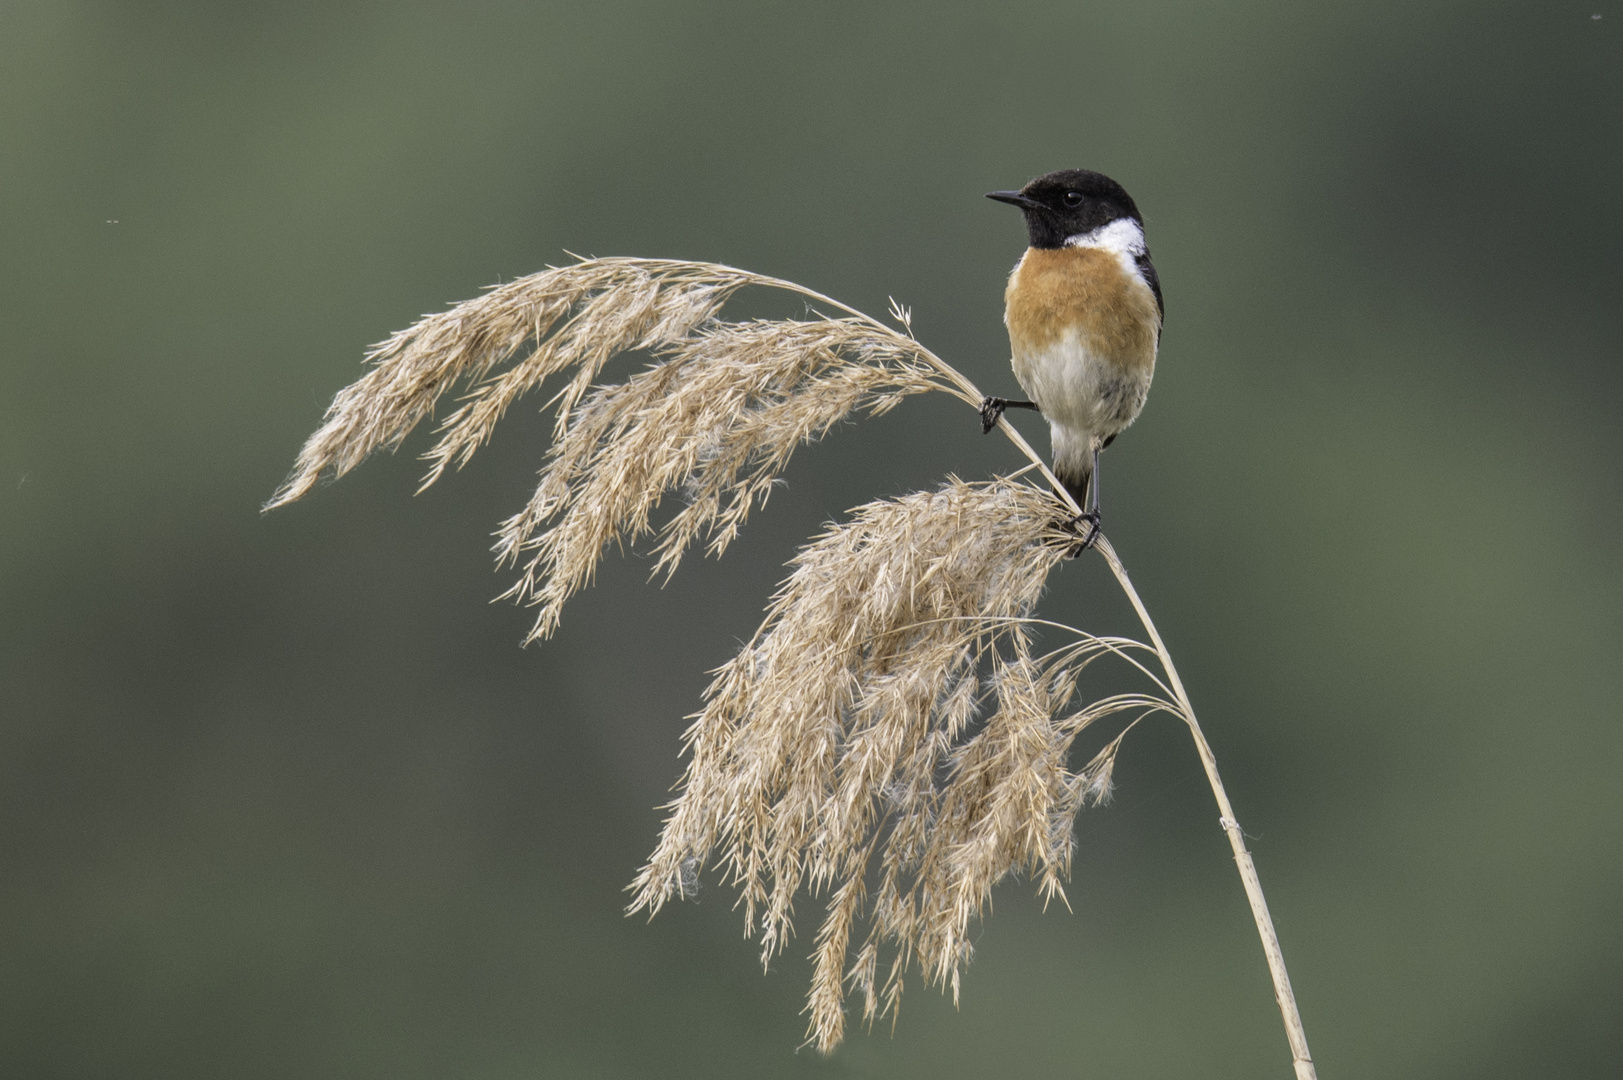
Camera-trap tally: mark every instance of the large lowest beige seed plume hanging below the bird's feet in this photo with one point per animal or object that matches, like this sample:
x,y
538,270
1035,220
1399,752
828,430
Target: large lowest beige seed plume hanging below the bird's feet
x,y
846,746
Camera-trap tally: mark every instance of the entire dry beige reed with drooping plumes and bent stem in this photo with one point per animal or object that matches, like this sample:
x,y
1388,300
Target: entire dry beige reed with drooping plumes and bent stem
x,y
890,740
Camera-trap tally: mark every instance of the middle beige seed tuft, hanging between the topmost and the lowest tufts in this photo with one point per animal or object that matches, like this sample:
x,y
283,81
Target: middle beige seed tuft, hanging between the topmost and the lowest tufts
x,y
717,420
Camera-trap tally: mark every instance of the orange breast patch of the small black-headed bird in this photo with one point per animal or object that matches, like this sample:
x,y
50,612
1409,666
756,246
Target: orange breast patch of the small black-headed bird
x,y
1085,292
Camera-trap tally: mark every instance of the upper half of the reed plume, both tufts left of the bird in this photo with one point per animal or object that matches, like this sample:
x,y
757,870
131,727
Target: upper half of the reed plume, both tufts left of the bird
x,y
717,418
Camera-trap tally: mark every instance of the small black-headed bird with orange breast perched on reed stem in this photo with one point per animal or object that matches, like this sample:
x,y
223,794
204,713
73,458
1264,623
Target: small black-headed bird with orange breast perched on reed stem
x,y
1083,309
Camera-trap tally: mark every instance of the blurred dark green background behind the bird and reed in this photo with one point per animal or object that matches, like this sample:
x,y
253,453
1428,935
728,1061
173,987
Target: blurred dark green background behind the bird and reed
x,y
285,798
